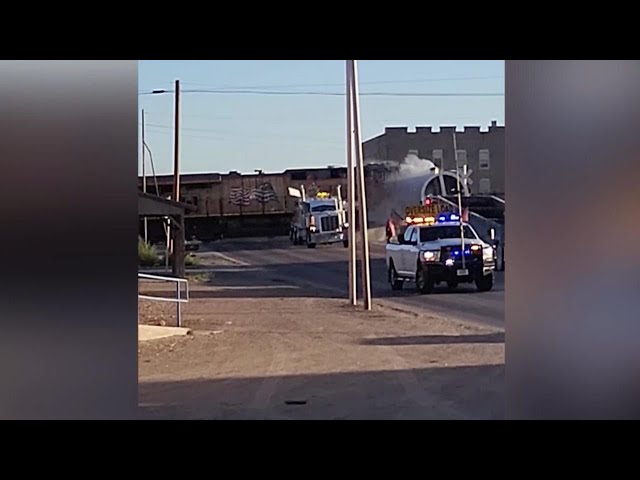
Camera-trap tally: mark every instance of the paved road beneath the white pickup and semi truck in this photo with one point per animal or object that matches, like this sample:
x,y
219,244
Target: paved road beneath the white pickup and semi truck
x,y
326,267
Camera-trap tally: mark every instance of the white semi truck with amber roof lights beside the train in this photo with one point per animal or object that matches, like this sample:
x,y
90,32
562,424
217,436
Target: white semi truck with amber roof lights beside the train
x,y
318,220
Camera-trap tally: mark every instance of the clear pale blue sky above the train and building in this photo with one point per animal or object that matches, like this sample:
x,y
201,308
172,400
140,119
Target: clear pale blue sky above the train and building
x,y
240,127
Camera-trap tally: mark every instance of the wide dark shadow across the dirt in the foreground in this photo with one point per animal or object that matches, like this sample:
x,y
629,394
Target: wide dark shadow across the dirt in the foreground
x,y
429,393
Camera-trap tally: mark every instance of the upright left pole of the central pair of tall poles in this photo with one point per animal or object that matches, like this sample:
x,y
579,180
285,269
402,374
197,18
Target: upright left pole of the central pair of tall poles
x,y
351,195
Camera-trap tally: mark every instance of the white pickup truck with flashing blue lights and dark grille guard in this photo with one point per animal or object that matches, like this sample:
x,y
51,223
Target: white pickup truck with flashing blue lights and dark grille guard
x,y
430,253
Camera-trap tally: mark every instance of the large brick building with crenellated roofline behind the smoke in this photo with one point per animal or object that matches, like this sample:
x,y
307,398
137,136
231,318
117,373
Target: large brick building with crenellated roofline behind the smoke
x,y
481,150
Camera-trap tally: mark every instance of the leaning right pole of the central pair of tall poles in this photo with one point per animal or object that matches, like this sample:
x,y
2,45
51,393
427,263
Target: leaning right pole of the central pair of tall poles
x,y
357,137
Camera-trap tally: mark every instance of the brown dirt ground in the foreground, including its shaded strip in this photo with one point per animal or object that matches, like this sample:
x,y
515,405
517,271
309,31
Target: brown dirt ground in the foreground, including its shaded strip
x,y
282,355
